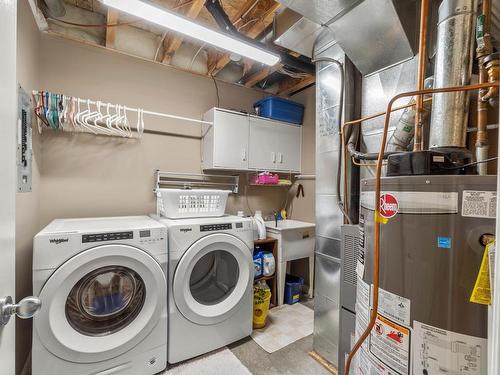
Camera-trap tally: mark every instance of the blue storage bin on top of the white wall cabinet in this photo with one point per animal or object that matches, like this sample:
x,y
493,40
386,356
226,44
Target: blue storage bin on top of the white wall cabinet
x,y
280,109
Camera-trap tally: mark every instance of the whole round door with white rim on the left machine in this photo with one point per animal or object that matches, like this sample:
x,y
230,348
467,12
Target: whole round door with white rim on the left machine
x,y
101,303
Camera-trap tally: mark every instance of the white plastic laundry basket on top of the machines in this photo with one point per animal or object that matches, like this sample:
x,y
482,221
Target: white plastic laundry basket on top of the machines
x,y
183,203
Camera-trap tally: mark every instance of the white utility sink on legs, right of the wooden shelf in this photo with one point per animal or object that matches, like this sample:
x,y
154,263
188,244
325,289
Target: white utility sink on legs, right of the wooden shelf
x,y
296,240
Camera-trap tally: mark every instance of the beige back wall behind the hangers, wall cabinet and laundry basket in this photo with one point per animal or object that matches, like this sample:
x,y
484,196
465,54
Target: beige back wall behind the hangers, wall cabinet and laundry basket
x,y
84,175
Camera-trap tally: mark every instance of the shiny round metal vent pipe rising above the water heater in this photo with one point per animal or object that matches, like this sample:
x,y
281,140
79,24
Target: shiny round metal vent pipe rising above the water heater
x,y
453,67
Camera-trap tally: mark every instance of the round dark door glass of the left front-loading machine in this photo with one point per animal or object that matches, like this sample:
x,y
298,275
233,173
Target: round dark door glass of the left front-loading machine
x,y
105,300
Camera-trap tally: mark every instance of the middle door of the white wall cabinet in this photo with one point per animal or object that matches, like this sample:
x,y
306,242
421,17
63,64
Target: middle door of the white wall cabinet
x,y
262,144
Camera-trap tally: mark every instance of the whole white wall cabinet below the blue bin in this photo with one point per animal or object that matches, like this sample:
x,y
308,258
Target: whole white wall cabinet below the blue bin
x,y
237,141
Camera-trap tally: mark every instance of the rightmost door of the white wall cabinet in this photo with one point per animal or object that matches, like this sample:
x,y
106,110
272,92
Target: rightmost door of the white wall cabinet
x,y
288,147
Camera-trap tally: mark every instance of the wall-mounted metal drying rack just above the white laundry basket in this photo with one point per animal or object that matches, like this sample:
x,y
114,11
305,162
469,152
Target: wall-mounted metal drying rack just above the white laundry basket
x,y
174,180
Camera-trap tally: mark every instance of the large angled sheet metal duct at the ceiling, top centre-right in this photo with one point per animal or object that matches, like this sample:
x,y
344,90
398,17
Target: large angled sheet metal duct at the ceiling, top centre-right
x,y
374,34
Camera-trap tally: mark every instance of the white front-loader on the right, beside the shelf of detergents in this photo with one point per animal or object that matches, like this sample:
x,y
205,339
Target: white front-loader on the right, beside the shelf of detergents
x,y
210,281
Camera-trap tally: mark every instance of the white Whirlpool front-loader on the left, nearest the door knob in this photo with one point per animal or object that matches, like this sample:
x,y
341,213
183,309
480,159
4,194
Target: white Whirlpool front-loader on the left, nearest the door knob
x,y
102,284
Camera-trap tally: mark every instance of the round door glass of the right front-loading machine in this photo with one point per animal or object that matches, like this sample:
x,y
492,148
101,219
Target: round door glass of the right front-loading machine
x,y
214,277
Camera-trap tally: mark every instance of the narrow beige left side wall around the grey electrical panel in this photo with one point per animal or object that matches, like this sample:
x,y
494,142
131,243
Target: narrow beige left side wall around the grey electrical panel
x,y
27,204
